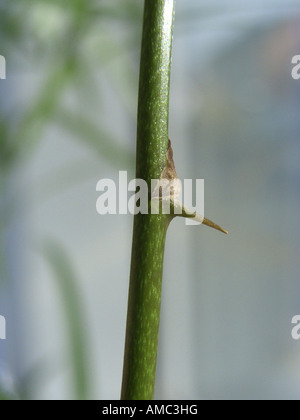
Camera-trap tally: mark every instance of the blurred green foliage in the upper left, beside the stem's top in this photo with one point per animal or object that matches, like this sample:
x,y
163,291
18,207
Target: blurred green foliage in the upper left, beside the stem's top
x,y
68,43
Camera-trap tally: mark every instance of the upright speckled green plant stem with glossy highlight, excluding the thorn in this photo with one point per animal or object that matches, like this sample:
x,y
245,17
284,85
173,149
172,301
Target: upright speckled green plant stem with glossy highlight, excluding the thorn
x,y
149,231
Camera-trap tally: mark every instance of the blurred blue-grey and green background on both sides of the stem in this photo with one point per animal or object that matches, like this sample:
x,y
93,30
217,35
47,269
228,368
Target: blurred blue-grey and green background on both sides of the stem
x,y
68,119
